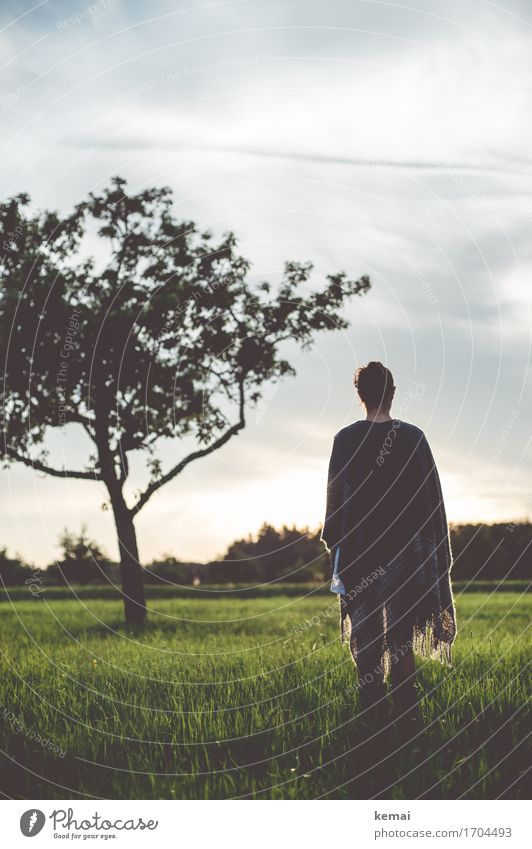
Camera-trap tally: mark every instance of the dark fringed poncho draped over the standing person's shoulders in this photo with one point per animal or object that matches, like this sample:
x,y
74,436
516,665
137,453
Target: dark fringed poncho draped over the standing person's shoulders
x,y
385,511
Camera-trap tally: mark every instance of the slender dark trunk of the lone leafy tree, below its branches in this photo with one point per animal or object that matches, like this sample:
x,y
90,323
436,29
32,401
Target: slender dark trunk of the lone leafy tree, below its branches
x,y
130,568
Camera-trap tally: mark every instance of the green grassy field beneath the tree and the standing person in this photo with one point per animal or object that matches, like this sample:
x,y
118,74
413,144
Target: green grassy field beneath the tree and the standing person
x,y
249,697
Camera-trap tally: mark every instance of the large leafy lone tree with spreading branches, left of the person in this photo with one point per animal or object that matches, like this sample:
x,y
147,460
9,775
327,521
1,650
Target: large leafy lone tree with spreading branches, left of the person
x,y
159,334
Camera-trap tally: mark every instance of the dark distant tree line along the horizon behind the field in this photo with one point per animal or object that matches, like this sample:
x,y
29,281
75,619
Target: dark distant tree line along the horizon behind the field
x,y
481,552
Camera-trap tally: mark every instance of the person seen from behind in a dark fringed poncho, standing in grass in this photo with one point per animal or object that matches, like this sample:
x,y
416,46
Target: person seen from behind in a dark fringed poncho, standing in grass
x,y
386,530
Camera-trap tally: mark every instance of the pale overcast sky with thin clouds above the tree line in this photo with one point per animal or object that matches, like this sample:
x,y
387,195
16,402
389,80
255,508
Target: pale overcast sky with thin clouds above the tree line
x,y
365,136
